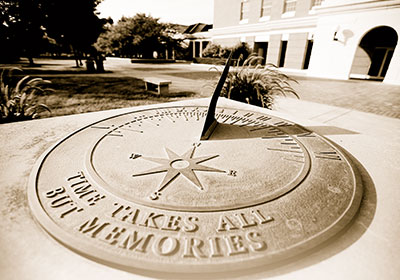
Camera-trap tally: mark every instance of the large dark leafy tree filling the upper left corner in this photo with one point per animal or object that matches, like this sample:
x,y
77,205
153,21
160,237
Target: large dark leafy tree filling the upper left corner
x,y
26,25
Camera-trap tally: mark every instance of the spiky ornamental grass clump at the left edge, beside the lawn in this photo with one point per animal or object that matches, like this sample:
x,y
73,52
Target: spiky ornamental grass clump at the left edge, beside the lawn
x,y
16,102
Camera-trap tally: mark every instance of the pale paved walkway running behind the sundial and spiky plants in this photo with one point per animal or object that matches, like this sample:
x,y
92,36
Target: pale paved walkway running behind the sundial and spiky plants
x,y
367,96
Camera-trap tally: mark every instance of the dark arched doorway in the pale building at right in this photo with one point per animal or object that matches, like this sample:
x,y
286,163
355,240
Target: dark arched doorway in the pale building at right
x,y
374,53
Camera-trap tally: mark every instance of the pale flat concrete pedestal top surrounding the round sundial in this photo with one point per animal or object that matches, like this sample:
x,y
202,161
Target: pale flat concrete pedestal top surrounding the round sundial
x,y
367,249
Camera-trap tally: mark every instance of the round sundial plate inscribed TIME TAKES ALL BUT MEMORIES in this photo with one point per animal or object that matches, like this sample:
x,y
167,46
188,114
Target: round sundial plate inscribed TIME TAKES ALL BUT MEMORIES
x,y
194,188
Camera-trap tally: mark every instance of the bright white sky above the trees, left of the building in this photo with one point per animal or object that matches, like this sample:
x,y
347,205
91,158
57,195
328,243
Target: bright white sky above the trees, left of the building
x,y
173,11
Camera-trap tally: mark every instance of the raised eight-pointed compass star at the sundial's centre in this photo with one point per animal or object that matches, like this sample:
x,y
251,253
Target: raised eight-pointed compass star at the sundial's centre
x,y
175,165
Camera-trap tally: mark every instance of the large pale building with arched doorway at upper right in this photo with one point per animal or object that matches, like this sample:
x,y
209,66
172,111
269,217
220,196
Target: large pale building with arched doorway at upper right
x,y
331,39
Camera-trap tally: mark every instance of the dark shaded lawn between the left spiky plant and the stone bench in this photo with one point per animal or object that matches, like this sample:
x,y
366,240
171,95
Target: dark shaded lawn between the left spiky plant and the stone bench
x,y
78,93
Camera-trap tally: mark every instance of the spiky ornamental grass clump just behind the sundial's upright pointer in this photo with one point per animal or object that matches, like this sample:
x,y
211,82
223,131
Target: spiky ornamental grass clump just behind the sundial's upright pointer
x,y
255,84
